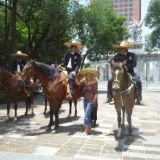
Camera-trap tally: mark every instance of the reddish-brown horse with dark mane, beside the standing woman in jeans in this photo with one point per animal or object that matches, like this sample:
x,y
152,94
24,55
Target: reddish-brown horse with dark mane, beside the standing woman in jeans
x,y
54,85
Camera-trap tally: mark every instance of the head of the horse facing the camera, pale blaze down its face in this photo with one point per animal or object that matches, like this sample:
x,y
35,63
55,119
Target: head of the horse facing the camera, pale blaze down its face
x,y
118,75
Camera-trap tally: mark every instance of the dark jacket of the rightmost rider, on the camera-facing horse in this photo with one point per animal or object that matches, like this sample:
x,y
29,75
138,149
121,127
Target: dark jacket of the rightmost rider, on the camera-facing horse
x,y
130,58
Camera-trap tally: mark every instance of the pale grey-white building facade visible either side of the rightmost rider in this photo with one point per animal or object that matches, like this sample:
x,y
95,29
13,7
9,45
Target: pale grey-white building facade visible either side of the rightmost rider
x,y
148,69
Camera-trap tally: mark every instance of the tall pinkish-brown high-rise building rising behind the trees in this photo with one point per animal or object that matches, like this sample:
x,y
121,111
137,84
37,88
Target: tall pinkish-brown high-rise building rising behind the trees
x,y
131,9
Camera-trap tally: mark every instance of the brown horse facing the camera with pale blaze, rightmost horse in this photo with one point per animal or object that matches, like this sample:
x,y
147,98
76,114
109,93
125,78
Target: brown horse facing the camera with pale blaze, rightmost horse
x,y
123,94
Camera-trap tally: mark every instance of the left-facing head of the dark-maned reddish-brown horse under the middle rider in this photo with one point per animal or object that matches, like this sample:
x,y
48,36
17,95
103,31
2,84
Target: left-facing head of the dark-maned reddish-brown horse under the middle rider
x,y
28,70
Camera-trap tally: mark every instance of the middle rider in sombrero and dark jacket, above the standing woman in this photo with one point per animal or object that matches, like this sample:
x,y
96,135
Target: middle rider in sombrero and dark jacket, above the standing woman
x,y
72,62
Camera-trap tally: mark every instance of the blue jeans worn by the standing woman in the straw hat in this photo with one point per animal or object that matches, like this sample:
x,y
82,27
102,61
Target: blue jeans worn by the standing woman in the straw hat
x,y
88,108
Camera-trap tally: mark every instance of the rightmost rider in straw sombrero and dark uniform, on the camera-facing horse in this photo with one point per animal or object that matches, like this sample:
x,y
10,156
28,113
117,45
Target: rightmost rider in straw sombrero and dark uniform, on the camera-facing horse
x,y
131,62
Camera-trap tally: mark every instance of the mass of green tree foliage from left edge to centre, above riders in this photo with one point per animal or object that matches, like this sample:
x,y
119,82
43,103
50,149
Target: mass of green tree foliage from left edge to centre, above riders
x,y
44,25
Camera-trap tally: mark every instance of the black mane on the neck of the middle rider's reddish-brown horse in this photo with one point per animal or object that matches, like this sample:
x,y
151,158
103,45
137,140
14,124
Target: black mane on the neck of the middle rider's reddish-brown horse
x,y
46,70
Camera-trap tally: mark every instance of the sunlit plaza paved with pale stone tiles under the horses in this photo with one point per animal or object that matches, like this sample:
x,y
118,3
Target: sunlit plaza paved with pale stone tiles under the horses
x,y
28,140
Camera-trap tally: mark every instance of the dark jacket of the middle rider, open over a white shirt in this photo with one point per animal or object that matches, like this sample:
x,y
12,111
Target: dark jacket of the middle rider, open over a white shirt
x,y
75,61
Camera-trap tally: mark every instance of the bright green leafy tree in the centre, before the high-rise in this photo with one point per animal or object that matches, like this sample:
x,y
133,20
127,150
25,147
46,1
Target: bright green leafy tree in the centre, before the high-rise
x,y
98,27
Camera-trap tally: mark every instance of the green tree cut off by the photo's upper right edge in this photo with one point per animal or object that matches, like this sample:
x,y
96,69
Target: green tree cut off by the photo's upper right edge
x,y
152,20
